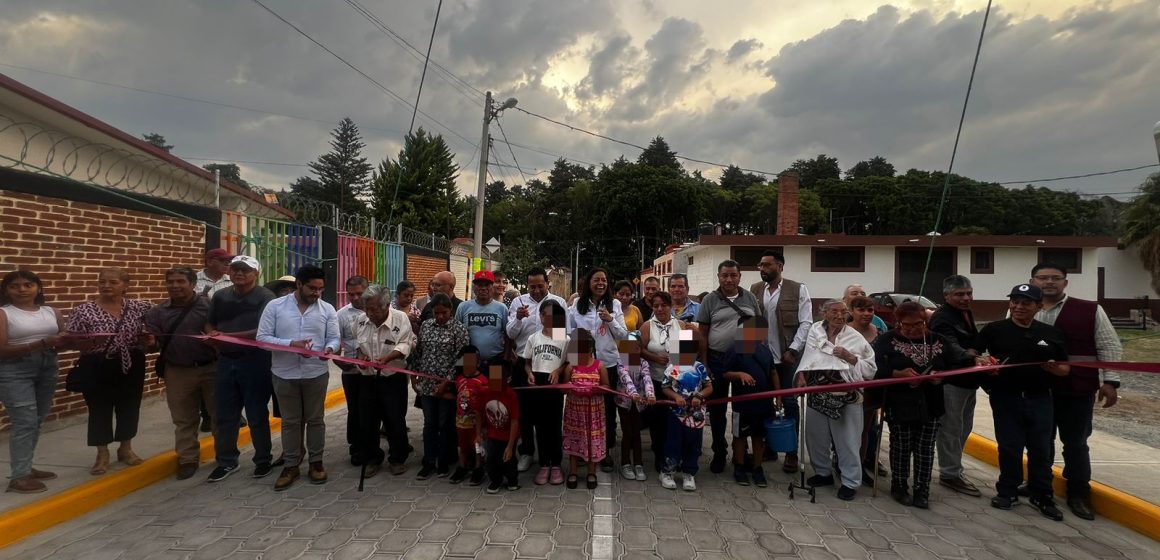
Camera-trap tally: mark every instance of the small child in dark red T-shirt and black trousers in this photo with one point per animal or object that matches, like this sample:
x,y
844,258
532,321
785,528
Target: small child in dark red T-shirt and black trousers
x,y
498,431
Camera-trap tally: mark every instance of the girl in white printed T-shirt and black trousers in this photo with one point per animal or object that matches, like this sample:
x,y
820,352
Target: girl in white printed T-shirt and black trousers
x,y
545,363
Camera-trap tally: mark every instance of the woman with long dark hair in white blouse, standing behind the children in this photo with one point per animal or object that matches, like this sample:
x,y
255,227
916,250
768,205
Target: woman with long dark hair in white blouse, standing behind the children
x,y
598,312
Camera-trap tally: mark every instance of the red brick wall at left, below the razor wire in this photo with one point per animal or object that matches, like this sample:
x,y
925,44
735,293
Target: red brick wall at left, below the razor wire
x,y
69,243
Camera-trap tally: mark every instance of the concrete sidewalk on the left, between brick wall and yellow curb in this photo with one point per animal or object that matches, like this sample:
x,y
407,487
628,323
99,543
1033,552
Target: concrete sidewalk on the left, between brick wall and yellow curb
x,y
64,452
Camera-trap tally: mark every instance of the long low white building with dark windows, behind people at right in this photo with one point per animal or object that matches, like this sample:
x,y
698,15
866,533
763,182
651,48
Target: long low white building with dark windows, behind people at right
x,y
1098,270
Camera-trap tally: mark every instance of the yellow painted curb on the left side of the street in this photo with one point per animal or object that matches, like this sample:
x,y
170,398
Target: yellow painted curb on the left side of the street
x,y
75,503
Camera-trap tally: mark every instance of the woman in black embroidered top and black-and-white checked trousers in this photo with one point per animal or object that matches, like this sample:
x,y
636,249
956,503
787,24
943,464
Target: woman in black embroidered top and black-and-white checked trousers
x,y
913,410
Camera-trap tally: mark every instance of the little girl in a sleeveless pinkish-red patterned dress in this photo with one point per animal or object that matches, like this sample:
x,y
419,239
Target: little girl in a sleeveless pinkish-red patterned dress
x,y
584,412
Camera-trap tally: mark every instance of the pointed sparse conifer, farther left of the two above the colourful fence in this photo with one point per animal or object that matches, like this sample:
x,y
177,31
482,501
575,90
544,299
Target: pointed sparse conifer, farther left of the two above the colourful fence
x,y
343,173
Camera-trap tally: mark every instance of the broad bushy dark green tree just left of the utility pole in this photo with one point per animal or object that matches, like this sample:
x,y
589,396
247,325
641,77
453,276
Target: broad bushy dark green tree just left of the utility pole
x,y
429,200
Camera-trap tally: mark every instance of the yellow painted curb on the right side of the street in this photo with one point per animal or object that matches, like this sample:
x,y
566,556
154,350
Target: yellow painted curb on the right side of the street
x,y
1128,511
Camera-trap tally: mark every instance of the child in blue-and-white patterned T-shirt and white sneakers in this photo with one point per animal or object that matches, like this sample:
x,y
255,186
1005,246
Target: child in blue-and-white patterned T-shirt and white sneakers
x,y
687,383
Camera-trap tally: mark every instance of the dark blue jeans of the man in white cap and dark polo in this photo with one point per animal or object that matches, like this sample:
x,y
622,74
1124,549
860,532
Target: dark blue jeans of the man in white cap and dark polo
x,y
243,382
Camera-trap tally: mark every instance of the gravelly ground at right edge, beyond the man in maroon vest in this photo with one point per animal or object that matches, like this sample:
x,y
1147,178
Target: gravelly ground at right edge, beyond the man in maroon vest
x,y
1137,414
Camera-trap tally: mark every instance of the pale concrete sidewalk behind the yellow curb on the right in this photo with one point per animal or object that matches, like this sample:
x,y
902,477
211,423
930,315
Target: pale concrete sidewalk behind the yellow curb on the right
x,y
1119,463
